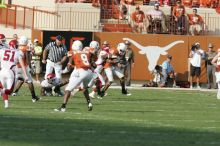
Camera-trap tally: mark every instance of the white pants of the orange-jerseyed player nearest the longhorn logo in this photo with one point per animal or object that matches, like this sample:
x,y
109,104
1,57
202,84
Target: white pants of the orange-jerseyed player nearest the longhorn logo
x,y
114,70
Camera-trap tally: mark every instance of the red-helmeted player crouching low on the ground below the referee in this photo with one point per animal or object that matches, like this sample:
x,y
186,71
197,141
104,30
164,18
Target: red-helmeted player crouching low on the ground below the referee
x,y
50,82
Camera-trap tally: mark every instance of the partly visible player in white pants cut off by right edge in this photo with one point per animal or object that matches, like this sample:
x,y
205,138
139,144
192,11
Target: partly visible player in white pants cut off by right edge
x,y
216,63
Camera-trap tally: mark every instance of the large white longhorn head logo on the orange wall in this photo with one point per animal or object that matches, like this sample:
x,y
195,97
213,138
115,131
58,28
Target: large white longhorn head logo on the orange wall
x,y
153,52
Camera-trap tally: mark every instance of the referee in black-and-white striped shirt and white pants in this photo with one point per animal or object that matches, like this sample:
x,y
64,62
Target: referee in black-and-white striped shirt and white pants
x,y
54,55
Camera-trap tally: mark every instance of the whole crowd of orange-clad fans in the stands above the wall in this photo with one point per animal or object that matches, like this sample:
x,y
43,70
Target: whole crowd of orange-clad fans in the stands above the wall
x,y
156,21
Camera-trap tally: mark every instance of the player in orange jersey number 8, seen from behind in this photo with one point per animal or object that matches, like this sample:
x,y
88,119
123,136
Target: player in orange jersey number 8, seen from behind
x,y
81,74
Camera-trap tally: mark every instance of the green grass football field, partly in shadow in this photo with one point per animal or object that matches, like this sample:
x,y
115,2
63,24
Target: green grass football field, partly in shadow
x,y
147,118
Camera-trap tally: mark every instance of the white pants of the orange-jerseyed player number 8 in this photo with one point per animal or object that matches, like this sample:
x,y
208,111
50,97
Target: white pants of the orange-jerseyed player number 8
x,y
79,76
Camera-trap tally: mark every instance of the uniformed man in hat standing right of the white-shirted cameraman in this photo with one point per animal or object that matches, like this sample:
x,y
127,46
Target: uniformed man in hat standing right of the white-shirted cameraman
x,y
210,68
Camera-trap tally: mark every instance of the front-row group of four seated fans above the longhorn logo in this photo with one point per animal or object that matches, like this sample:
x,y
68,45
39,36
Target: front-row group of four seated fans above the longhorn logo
x,y
177,23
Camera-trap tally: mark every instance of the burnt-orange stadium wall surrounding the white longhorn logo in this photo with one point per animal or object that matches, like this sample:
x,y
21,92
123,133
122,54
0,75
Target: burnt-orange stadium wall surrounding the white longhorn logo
x,y
179,51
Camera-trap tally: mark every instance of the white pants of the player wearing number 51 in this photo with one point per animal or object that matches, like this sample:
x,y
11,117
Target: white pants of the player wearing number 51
x,y
7,78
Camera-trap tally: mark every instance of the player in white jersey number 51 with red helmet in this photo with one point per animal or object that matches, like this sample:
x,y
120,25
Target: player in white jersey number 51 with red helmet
x,y
9,57
